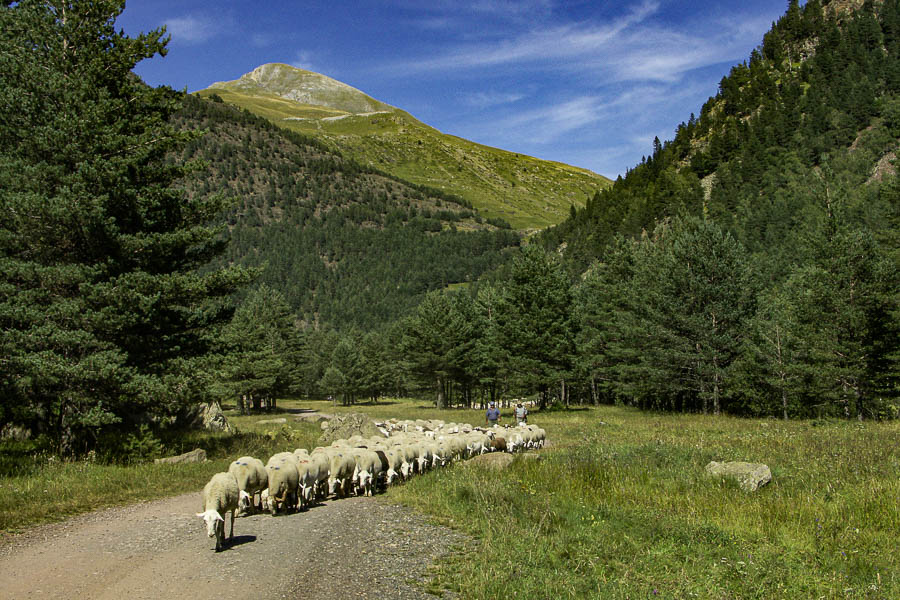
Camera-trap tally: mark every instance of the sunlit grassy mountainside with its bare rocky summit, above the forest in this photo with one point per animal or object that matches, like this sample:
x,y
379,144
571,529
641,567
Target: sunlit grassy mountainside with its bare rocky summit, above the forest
x,y
527,192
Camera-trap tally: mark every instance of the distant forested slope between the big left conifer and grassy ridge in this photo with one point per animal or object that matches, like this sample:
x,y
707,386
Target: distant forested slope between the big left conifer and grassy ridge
x,y
346,245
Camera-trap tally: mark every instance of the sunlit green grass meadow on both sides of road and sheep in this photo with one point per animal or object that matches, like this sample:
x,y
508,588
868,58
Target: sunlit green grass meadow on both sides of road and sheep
x,y
619,507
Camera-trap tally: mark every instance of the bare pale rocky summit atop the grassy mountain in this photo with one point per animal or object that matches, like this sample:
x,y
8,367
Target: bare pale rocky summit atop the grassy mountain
x,y
304,87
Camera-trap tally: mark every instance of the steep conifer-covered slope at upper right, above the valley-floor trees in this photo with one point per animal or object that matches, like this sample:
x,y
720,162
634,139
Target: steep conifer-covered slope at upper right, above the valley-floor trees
x,y
814,112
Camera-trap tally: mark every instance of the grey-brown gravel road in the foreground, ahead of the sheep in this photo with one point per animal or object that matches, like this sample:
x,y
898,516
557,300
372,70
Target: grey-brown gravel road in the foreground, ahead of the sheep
x,y
351,548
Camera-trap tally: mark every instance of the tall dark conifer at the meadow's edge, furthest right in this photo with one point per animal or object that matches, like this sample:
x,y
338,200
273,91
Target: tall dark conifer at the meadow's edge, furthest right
x,y
847,305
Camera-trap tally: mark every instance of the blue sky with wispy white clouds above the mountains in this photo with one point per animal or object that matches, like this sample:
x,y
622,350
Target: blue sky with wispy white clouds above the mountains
x,y
581,82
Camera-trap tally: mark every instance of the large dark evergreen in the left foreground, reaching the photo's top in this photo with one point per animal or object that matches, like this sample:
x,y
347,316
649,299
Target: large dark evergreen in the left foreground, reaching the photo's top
x,y
103,314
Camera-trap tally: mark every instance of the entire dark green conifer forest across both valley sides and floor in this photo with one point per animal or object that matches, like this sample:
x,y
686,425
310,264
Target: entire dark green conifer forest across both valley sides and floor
x,y
158,249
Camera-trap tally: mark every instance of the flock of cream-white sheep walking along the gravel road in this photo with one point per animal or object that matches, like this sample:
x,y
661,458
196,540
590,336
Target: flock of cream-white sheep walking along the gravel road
x,y
293,480
